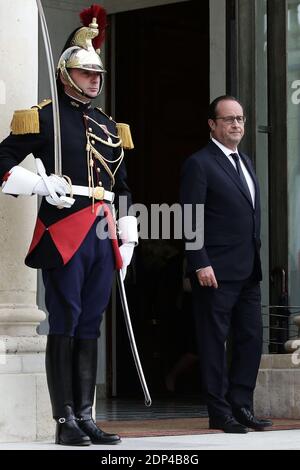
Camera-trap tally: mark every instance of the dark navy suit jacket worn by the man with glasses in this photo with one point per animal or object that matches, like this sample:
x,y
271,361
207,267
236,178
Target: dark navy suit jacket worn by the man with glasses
x,y
231,223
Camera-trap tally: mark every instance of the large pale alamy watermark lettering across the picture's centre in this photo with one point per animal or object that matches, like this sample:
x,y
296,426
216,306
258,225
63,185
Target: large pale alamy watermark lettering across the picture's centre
x,y
162,222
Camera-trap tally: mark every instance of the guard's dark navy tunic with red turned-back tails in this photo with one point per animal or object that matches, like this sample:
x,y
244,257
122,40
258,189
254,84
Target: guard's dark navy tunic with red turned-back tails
x,y
58,233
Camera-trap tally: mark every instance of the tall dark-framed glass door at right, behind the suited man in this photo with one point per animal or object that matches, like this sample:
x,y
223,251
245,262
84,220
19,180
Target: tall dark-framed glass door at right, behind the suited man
x,y
266,55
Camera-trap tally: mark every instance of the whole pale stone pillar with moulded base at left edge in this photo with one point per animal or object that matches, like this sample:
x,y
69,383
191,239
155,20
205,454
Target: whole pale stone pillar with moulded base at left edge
x,y
24,404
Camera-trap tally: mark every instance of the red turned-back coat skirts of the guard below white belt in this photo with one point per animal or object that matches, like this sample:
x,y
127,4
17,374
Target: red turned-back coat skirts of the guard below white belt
x,y
68,234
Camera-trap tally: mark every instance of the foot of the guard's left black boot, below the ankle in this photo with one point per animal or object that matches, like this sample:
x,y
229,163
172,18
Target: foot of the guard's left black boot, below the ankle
x,y
68,433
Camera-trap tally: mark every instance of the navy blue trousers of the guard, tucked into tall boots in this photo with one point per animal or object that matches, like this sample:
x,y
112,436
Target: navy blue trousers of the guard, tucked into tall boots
x,y
77,294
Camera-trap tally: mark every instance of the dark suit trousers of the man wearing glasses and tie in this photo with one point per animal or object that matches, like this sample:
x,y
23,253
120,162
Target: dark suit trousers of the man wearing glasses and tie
x,y
234,308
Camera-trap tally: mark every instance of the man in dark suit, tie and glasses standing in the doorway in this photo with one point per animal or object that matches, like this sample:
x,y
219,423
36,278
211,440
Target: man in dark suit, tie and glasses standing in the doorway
x,y
226,271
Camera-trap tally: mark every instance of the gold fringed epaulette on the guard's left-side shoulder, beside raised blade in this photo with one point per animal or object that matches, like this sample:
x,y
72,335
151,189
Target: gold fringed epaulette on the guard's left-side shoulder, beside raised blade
x,y
26,121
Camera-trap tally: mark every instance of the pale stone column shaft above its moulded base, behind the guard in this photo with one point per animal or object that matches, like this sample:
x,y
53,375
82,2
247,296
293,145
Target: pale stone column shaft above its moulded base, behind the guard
x,y
18,75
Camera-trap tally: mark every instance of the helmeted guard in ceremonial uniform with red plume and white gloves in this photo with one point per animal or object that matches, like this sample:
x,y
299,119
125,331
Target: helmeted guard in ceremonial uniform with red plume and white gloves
x,y
77,265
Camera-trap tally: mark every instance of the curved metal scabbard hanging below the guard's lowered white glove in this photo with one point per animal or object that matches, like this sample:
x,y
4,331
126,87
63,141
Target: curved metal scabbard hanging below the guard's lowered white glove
x,y
134,350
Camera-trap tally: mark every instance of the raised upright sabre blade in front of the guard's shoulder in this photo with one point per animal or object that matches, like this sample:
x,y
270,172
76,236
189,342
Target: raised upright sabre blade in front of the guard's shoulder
x,y
55,107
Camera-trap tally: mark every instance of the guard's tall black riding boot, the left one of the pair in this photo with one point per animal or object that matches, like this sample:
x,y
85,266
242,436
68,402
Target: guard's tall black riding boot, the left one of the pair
x,y
59,361
